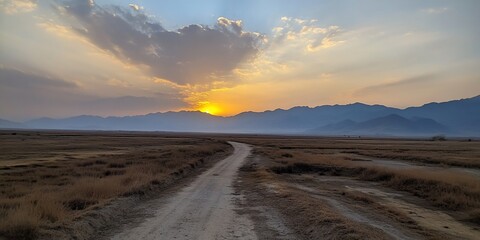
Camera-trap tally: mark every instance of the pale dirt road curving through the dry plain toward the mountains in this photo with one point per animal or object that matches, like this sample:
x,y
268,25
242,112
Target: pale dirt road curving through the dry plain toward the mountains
x,y
203,210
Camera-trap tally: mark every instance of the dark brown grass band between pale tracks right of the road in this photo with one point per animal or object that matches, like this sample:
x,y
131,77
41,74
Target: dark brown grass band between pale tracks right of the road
x,y
449,191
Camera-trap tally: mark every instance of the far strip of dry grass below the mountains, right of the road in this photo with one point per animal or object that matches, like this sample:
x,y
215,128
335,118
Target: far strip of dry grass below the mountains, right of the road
x,y
449,153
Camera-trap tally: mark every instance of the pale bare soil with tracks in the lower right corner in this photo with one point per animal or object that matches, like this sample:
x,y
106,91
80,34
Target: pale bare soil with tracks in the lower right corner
x,y
371,203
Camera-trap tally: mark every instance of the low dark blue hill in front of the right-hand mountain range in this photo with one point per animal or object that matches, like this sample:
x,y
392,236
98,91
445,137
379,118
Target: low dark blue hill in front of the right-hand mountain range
x,y
392,124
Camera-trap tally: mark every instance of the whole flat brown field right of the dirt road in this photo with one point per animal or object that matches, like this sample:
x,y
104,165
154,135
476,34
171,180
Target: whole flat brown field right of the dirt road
x,y
341,188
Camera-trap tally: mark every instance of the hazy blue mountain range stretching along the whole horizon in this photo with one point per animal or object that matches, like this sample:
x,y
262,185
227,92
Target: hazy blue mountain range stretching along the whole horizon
x,y
455,118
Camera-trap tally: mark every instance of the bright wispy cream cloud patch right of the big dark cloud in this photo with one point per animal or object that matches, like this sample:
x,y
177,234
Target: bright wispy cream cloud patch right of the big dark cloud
x,y
296,49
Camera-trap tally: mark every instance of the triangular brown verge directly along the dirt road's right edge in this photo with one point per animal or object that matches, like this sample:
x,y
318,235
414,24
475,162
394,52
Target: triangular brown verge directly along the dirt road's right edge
x,y
296,213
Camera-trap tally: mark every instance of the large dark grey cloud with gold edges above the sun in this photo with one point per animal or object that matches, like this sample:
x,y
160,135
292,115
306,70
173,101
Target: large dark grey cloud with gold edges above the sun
x,y
187,55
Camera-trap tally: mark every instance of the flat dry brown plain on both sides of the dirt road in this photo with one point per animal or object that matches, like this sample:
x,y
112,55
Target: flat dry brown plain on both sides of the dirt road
x,y
60,185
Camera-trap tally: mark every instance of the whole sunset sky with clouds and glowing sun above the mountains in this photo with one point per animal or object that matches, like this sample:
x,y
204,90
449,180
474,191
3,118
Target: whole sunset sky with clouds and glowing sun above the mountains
x,y
61,58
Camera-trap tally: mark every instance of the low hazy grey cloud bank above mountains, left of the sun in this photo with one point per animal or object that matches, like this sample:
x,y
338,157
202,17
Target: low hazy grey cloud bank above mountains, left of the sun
x,y
26,95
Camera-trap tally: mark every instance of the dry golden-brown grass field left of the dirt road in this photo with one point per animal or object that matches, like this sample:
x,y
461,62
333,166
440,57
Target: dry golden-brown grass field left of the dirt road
x,y
48,178
